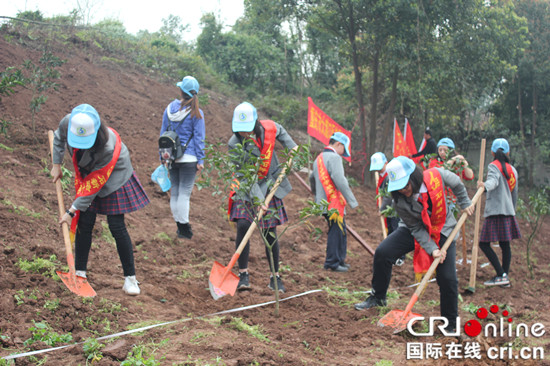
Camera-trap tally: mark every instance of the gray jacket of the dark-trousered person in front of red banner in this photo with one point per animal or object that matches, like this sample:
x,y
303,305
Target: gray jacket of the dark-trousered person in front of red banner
x,y
333,163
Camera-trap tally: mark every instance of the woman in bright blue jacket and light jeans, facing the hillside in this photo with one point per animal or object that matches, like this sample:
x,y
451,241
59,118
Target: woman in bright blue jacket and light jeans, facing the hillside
x,y
185,118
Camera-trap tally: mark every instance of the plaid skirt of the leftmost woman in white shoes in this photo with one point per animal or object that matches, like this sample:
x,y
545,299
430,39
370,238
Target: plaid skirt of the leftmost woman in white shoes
x,y
128,198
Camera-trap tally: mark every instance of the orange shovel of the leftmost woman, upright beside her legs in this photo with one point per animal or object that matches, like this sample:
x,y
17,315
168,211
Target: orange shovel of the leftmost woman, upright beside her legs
x,y
78,285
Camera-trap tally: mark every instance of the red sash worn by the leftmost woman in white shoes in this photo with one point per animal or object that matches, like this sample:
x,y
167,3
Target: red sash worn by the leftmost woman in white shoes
x,y
93,181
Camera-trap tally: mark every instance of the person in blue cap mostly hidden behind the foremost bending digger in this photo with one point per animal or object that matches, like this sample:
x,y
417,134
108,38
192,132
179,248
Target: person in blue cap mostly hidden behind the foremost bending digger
x,y
378,162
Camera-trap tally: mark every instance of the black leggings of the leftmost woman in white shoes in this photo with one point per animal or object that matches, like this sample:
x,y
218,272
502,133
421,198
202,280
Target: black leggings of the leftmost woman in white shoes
x,y
83,241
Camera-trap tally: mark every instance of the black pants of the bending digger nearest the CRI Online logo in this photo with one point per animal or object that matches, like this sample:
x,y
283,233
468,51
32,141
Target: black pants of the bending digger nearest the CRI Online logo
x,y
401,242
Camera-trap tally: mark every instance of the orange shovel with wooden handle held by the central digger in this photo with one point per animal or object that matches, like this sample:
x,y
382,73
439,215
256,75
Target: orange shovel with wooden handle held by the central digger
x,y
222,281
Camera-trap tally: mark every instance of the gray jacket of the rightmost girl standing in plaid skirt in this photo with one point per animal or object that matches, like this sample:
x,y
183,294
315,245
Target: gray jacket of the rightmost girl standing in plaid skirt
x,y
500,201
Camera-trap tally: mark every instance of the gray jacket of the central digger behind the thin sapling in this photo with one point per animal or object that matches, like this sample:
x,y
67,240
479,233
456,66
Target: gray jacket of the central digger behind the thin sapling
x,y
259,188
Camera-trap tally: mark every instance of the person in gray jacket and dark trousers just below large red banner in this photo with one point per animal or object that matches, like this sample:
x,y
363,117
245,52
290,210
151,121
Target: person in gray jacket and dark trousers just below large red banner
x,y
328,182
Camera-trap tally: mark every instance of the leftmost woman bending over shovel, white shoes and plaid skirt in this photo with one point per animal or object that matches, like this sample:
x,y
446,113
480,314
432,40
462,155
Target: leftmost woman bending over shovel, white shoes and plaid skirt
x,y
105,183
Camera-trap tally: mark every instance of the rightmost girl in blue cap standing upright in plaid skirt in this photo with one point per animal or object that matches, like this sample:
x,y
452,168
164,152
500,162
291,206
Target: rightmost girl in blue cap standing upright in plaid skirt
x,y
500,212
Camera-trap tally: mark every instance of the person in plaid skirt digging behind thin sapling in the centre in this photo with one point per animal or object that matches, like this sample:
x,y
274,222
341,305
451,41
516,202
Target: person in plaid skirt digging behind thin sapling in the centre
x,y
258,138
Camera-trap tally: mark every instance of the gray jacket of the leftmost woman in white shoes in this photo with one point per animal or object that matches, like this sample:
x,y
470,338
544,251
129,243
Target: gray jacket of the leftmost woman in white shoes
x,y
121,173
